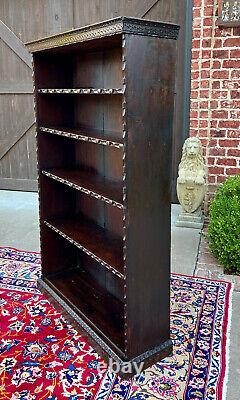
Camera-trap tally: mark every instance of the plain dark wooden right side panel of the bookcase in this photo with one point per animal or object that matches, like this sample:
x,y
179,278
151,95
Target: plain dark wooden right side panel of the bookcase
x,y
150,70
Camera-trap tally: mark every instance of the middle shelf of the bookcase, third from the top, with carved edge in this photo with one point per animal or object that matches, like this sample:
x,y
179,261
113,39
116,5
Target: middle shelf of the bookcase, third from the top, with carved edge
x,y
90,184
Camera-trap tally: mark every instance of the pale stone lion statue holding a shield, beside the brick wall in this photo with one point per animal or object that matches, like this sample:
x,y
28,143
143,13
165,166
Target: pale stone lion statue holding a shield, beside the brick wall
x,y
191,184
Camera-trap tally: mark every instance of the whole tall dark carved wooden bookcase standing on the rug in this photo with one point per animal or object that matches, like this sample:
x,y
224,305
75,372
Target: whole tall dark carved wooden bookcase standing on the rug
x,y
104,98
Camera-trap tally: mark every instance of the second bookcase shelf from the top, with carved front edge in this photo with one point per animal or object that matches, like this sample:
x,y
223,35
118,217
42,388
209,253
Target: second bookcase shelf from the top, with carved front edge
x,y
92,136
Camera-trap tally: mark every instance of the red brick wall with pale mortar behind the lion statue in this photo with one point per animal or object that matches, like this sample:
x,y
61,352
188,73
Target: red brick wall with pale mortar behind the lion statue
x,y
215,95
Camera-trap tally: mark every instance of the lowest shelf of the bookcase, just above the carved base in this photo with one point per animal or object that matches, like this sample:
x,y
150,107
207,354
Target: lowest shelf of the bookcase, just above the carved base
x,y
90,301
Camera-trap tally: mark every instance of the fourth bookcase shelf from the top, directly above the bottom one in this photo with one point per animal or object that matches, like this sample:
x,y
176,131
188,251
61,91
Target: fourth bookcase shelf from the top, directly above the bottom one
x,y
104,247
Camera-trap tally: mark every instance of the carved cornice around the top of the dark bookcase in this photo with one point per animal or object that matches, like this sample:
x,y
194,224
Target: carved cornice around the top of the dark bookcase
x,y
115,26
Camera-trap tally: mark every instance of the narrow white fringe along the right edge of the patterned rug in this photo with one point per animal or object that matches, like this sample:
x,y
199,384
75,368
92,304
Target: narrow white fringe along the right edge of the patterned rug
x,y
228,342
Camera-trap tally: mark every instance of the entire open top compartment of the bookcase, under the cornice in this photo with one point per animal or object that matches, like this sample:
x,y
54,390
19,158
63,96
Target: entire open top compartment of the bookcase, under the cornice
x,y
80,69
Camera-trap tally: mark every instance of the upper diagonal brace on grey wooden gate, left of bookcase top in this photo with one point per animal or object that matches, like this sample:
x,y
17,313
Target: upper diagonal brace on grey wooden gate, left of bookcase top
x,y
15,44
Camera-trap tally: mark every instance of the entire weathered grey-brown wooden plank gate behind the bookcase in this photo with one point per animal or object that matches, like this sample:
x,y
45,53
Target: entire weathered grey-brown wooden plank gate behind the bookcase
x,y
31,20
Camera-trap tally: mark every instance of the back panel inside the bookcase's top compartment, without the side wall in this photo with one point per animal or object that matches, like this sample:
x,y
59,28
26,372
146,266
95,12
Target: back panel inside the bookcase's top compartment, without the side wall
x,y
101,69
